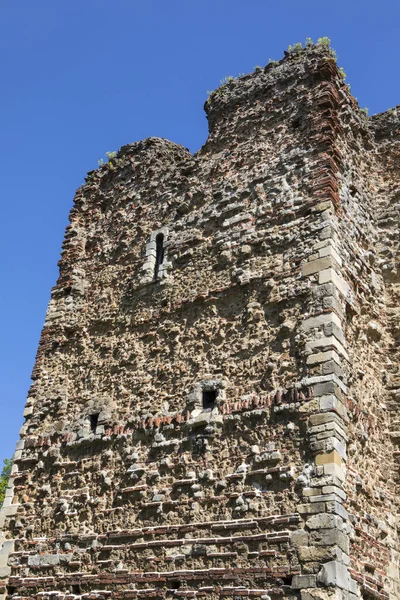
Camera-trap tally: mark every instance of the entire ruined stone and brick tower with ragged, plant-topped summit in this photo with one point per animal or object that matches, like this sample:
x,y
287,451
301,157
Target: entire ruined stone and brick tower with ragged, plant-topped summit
x,y
214,407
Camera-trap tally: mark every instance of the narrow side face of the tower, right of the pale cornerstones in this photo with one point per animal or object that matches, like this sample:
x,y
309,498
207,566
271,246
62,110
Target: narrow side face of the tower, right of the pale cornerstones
x,y
371,503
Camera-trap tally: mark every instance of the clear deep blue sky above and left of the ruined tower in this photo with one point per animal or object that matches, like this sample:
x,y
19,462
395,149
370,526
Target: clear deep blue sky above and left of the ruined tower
x,y
82,77
